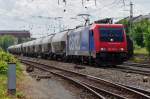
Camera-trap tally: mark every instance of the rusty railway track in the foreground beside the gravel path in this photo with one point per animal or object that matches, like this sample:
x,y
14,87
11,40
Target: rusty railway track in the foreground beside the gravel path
x,y
99,87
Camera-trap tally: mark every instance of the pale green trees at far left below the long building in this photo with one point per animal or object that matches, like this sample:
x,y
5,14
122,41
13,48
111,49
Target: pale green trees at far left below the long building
x,y
6,41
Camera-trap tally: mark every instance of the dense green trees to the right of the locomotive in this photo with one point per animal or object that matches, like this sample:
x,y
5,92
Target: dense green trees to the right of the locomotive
x,y
139,32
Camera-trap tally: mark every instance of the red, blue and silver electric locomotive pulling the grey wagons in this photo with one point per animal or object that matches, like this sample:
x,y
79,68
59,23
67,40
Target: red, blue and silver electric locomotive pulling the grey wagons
x,y
99,43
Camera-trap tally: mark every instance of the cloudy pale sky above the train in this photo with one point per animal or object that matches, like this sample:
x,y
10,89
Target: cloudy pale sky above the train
x,y
43,17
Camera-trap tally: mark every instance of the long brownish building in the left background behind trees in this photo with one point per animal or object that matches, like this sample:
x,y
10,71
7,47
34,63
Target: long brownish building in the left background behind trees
x,y
21,35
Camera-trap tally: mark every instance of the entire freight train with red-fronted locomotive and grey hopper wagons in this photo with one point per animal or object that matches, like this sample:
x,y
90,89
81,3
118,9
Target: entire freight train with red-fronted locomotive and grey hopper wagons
x,y
100,44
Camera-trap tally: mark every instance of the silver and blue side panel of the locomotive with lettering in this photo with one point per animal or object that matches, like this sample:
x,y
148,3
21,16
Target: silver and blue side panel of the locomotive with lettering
x,y
78,42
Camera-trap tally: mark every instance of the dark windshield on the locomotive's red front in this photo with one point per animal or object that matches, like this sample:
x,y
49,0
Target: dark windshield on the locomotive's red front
x,y
111,34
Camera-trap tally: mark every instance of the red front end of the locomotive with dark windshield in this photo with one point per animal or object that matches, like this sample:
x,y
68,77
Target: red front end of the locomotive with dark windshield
x,y
110,43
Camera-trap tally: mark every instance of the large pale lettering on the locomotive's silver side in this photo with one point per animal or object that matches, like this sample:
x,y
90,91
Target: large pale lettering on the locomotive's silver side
x,y
74,41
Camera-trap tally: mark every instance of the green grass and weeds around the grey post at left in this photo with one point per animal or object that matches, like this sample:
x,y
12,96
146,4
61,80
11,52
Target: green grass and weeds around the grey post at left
x,y
4,59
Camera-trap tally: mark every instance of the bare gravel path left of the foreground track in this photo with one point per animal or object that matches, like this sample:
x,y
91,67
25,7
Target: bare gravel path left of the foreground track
x,y
53,88
